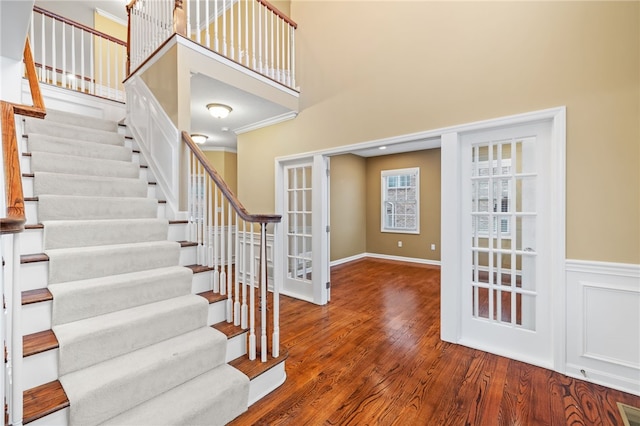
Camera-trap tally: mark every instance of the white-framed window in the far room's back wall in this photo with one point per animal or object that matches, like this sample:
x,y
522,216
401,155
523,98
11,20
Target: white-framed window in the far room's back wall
x,y
401,200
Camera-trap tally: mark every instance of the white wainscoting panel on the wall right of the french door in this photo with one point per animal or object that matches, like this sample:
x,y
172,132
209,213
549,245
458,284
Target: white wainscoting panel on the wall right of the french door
x,y
603,323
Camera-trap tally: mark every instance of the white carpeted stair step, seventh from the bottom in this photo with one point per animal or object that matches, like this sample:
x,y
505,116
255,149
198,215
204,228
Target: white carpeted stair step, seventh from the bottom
x,y
71,207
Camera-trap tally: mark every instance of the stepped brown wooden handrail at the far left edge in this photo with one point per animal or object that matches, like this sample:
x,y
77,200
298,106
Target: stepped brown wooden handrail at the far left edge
x,y
16,218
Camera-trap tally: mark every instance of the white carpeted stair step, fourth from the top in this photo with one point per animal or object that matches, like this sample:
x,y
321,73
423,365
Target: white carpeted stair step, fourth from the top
x,y
62,163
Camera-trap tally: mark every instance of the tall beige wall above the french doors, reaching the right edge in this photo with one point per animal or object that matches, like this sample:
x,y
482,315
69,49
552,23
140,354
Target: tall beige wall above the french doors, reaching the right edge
x,y
415,66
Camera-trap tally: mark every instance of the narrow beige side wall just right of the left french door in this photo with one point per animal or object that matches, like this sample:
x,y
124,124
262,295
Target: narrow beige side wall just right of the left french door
x,y
348,189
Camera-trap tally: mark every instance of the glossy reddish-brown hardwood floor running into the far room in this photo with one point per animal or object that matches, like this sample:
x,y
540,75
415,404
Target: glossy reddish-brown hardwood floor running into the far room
x,y
373,356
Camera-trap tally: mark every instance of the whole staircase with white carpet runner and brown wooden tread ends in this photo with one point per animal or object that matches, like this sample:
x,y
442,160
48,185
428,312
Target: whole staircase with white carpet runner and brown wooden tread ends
x,y
117,327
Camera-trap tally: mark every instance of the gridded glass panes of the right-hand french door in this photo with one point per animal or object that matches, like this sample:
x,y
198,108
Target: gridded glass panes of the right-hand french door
x,y
503,218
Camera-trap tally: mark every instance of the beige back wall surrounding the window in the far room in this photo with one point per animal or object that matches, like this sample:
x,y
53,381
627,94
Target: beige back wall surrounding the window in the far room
x,y
413,245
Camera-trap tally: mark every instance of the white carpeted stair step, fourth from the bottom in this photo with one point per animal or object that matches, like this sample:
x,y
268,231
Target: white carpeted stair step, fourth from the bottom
x,y
76,300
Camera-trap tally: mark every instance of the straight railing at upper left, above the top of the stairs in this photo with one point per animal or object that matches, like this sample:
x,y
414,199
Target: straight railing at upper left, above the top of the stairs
x,y
73,56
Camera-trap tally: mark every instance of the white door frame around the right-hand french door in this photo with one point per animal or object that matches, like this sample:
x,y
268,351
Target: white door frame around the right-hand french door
x,y
452,236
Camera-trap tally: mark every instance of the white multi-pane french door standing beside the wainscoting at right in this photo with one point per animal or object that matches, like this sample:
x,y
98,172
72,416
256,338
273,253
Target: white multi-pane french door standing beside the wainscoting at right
x,y
505,279
